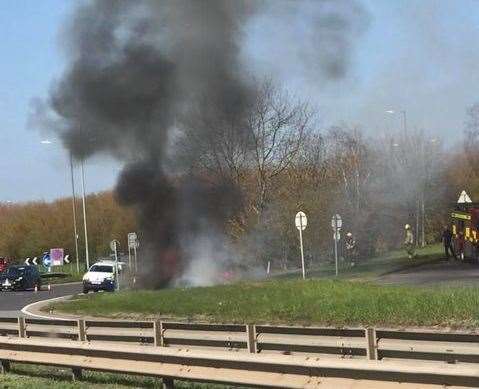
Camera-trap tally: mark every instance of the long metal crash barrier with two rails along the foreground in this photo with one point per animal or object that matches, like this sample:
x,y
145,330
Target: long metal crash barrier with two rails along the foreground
x,y
271,356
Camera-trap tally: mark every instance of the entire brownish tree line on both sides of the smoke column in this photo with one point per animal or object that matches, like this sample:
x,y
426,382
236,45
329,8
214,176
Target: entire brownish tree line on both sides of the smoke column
x,y
281,164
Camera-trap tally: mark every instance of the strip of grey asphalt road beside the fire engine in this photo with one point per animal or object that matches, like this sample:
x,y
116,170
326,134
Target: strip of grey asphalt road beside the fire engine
x,y
450,273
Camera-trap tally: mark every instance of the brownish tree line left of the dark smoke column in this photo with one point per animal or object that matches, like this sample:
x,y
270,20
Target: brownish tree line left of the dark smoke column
x,y
29,229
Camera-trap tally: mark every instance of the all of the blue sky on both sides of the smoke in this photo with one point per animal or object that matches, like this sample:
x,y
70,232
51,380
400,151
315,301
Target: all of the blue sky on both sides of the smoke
x,y
419,56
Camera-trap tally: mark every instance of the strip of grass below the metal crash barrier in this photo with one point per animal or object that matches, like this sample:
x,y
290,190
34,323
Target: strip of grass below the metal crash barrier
x,y
29,376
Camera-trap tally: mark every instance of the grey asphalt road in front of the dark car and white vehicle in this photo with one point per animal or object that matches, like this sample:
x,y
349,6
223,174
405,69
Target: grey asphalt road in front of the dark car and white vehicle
x,y
11,303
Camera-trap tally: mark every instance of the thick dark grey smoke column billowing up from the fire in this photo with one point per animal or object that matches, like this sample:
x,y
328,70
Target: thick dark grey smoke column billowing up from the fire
x,y
137,69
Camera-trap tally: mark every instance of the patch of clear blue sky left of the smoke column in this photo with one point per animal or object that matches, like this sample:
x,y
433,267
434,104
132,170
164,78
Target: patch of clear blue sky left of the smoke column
x,y
32,58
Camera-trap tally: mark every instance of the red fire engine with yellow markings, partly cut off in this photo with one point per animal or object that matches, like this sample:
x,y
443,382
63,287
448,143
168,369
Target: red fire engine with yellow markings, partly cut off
x,y
465,229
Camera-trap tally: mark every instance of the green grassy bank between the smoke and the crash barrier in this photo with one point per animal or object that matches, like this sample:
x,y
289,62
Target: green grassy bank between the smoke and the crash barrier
x,y
325,302
